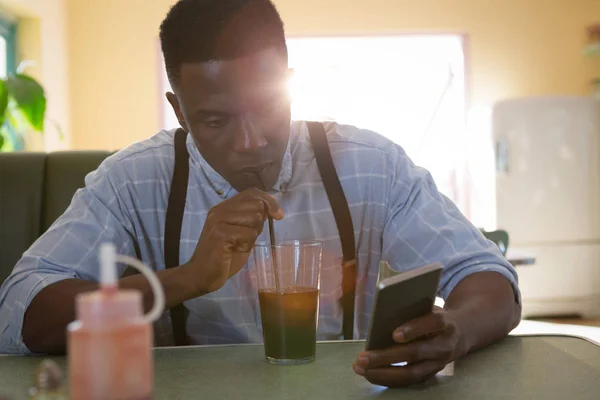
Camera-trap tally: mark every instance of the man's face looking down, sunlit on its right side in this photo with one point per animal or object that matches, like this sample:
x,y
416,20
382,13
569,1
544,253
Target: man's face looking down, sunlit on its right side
x,y
238,112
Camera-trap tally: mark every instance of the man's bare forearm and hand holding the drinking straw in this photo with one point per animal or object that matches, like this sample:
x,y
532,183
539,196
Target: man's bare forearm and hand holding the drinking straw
x,y
222,250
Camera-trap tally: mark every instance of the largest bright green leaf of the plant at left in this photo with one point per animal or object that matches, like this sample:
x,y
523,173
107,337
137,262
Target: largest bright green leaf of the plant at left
x,y
30,98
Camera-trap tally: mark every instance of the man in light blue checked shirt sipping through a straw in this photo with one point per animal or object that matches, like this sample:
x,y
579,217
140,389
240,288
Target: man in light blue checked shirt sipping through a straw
x,y
227,64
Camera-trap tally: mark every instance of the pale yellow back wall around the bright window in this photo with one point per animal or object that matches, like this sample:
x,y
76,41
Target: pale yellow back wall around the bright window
x,y
516,48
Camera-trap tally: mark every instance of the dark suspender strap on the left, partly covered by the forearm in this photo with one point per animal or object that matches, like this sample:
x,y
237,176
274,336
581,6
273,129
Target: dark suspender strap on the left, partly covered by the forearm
x,y
174,220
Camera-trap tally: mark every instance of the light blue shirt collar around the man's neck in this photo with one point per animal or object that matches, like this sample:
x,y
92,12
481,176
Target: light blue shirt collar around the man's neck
x,y
220,184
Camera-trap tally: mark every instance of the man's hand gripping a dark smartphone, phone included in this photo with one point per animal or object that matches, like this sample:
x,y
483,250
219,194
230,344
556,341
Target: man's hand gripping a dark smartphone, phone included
x,y
406,328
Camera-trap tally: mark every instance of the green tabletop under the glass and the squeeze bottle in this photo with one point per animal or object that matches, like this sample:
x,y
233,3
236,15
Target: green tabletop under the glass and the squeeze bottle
x,y
543,367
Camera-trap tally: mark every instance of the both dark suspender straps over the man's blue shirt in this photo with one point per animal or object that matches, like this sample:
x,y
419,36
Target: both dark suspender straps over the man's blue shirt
x,y
337,200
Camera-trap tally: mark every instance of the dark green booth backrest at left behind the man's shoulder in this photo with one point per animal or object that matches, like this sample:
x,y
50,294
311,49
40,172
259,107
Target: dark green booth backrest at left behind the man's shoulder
x,y
35,189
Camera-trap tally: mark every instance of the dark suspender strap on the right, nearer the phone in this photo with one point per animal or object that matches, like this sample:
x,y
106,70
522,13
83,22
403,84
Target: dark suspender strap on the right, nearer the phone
x,y
343,220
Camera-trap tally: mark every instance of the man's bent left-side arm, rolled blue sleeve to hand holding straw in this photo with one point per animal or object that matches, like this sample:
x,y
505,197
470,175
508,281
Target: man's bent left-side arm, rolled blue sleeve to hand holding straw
x,y
37,301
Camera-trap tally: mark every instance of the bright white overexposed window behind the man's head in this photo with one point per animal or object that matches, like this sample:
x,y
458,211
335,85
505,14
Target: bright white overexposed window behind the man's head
x,y
409,88
